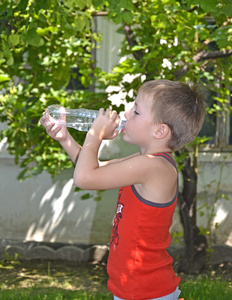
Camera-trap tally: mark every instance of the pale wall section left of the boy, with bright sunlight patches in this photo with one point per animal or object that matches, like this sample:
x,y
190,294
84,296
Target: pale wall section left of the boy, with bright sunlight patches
x,y
48,209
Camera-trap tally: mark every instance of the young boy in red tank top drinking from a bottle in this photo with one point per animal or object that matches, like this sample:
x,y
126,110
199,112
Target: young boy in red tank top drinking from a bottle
x,y
166,115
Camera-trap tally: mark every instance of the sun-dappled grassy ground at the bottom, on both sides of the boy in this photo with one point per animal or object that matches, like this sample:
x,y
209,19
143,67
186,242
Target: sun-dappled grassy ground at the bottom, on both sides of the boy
x,y
59,280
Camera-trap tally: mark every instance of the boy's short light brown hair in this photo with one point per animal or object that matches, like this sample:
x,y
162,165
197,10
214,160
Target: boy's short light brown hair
x,y
177,105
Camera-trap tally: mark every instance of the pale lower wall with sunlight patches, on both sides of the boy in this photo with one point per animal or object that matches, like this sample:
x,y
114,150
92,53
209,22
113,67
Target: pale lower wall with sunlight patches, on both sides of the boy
x,y
47,209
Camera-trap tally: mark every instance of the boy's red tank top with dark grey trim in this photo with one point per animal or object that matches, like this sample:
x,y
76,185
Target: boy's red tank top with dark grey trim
x,y
139,266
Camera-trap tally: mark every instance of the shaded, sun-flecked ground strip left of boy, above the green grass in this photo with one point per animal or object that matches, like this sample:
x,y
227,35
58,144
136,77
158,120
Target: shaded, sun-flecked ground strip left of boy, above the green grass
x,y
59,274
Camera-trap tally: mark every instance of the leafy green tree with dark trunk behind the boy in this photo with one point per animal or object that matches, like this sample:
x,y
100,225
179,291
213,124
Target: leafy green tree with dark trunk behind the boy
x,y
42,42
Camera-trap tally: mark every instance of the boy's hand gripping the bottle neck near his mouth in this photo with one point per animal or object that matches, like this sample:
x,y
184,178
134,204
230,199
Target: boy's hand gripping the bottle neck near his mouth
x,y
105,124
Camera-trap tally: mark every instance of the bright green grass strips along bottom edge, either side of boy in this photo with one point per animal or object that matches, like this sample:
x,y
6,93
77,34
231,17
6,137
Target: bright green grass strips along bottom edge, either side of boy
x,y
192,289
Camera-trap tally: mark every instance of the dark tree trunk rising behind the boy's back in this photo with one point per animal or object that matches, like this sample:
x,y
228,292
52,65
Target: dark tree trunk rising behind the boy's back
x,y
195,256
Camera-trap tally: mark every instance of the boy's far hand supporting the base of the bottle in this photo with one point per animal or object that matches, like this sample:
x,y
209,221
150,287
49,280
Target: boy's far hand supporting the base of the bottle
x,y
56,131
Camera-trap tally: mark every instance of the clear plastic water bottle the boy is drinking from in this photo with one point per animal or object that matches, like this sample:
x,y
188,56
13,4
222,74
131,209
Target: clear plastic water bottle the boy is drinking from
x,y
80,119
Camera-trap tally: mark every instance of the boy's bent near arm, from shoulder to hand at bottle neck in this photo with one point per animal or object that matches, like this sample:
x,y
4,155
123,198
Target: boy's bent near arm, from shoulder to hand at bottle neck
x,y
89,174
